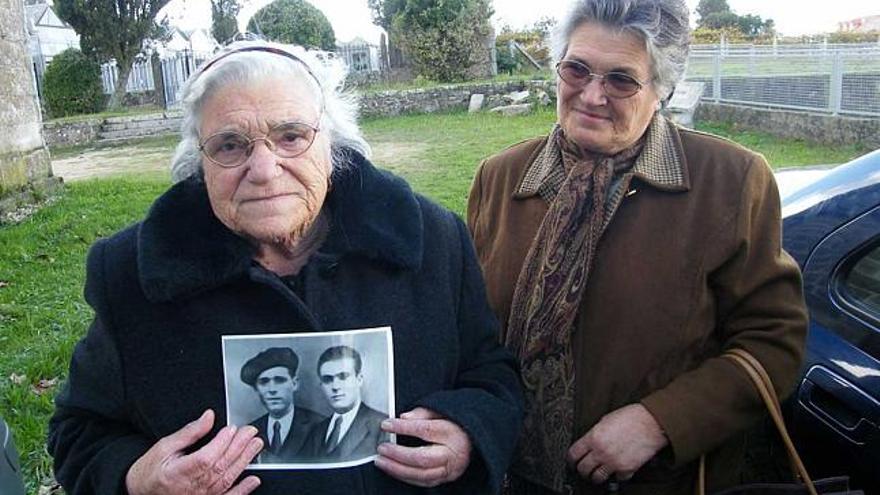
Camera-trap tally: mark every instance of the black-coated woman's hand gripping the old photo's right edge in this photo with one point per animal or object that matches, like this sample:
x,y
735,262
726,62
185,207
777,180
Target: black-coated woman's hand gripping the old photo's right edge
x,y
444,460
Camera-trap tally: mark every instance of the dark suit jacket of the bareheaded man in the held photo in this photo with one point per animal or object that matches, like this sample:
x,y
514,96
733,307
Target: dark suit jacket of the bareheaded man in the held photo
x,y
360,441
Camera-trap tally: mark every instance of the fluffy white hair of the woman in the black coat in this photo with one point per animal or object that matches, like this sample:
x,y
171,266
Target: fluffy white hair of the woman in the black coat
x,y
326,75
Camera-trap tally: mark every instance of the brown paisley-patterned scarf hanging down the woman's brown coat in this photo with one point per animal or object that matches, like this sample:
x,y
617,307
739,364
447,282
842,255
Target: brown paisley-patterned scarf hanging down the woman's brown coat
x,y
548,293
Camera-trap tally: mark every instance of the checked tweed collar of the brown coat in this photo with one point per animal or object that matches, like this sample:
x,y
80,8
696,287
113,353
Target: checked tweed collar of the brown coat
x,y
661,163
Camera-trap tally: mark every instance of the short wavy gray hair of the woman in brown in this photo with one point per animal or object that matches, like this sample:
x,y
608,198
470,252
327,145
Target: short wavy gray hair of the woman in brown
x,y
662,24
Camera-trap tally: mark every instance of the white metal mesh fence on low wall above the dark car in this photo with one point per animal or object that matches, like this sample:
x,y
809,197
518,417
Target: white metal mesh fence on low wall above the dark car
x,y
835,79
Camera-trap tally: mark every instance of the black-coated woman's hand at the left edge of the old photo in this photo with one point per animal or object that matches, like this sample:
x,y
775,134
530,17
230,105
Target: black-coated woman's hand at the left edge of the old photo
x,y
212,469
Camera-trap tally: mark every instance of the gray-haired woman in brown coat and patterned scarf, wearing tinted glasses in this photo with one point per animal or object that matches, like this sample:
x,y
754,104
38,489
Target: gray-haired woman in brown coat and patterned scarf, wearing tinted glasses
x,y
624,254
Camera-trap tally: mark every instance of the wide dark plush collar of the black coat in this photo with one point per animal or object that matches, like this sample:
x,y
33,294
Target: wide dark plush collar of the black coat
x,y
183,249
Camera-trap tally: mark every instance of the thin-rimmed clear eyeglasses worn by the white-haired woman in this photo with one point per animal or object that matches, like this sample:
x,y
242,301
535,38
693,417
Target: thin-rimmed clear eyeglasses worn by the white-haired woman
x,y
230,149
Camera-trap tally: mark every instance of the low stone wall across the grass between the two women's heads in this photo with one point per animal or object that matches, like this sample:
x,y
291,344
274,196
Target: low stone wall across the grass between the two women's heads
x,y
438,98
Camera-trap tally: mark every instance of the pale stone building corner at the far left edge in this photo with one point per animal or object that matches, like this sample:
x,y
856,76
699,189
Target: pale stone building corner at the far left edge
x,y
25,170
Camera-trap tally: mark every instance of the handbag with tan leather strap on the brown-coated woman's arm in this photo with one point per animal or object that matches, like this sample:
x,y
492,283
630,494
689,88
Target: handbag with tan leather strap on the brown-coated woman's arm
x,y
803,484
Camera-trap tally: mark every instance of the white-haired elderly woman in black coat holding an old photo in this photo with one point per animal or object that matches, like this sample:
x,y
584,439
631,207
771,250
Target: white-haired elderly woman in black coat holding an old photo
x,y
278,223
